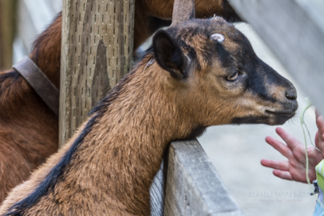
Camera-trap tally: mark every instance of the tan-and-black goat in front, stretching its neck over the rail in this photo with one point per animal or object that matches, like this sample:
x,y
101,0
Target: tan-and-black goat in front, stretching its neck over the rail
x,y
200,73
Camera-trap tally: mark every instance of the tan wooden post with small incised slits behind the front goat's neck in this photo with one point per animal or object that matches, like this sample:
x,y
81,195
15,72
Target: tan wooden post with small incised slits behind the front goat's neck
x,y
96,52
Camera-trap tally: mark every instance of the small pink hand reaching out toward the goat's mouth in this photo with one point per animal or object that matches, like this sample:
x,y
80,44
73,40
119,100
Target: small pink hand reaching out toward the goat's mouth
x,y
294,151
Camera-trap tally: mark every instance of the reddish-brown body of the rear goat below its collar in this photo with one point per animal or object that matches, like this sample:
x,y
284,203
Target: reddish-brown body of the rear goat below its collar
x,y
28,131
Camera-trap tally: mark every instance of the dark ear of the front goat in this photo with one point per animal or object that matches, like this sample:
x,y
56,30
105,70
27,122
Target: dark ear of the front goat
x,y
169,55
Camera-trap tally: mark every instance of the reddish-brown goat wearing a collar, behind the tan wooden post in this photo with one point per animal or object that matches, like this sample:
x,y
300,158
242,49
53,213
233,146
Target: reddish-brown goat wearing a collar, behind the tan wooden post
x,y
29,130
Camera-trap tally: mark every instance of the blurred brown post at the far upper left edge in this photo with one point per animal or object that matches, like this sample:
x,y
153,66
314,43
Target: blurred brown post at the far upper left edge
x,y
7,29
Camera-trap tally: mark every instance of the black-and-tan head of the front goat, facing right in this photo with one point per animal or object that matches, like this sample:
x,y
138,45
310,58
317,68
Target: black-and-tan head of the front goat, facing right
x,y
217,72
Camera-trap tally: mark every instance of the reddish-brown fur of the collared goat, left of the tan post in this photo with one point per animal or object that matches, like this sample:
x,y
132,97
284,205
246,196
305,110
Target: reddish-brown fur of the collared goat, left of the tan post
x,y
28,129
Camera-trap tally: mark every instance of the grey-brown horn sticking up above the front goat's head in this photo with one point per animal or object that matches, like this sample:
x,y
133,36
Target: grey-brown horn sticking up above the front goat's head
x,y
183,10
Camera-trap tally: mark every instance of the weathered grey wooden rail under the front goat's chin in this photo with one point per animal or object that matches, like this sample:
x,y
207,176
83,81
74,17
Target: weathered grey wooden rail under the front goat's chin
x,y
193,185
